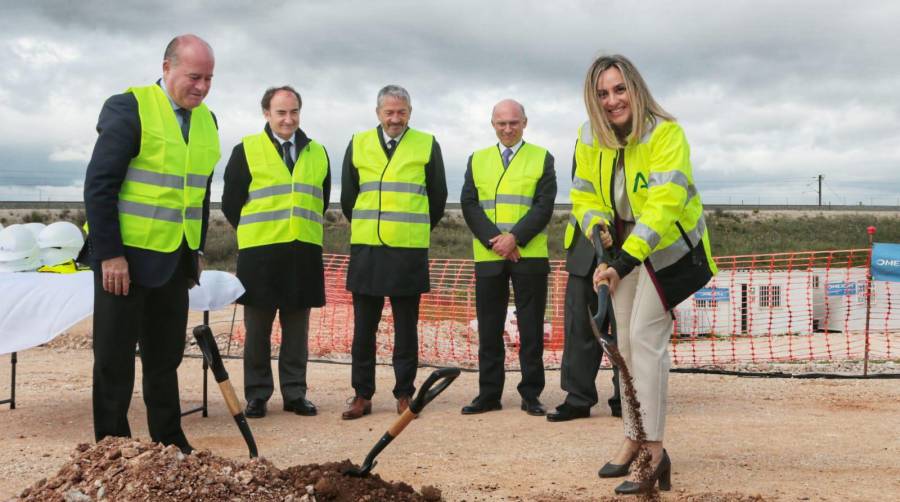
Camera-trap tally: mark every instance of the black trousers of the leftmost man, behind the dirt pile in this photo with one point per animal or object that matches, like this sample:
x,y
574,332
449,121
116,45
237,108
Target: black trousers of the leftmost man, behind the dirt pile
x,y
154,319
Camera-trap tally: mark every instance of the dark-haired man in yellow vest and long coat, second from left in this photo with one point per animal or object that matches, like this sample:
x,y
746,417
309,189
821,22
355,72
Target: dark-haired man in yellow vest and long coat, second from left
x,y
277,186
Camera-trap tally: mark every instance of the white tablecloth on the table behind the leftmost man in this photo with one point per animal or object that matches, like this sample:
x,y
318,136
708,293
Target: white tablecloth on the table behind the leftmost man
x,y
35,307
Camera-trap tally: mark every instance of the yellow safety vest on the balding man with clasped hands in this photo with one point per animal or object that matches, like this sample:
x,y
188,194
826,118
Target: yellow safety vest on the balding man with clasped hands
x,y
506,195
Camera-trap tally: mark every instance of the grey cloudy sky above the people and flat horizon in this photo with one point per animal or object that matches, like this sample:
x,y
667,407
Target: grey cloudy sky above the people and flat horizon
x,y
771,93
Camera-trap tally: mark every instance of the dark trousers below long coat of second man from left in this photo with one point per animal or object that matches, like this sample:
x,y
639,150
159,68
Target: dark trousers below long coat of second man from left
x,y
292,356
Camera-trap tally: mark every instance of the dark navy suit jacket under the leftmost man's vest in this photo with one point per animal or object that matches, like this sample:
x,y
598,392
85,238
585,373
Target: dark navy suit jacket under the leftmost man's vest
x,y
119,141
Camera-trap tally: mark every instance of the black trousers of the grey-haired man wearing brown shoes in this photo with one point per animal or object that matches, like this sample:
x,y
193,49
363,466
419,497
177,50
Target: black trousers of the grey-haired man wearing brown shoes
x,y
366,316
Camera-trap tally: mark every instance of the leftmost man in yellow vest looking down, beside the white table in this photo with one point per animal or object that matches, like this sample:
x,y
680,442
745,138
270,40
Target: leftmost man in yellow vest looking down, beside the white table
x,y
146,195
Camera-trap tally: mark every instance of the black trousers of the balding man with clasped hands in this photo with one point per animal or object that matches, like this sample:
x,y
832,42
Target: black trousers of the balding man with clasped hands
x,y
491,301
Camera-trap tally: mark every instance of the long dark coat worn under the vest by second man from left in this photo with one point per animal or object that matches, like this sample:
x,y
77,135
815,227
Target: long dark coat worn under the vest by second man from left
x,y
287,275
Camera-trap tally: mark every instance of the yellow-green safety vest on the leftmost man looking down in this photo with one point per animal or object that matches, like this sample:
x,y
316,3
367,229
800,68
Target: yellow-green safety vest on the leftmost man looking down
x,y
161,199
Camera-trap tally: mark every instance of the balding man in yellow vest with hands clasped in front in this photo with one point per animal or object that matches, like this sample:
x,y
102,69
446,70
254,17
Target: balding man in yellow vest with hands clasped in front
x,y
507,201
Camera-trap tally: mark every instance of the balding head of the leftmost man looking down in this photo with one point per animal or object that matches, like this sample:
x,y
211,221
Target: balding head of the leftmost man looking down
x,y
187,70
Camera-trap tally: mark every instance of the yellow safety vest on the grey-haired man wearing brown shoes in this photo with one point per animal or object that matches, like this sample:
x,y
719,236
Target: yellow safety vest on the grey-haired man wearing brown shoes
x,y
392,206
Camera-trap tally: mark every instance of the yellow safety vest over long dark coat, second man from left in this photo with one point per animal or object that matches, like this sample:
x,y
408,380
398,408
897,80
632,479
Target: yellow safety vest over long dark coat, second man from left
x,y
282,207
